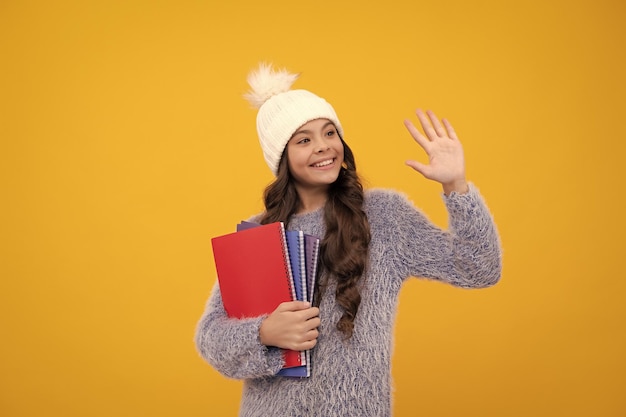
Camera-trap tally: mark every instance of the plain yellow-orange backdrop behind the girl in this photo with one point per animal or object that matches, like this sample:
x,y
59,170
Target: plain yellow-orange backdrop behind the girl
x,y
126,145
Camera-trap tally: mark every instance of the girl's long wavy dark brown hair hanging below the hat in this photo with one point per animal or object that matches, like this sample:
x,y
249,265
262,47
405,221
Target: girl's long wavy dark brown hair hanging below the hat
x,y
344,248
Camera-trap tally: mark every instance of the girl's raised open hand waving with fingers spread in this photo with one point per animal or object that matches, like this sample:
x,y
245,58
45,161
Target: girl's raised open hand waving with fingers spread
x,y
446,163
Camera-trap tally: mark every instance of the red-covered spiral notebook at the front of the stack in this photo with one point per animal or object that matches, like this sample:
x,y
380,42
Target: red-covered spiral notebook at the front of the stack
x,y
254,274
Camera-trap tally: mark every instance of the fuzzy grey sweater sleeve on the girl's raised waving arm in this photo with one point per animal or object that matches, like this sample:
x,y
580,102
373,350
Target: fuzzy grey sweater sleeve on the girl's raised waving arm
x,y
467,254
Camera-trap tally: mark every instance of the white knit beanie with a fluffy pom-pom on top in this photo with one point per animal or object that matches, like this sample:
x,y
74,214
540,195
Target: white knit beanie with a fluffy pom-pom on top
x,y
282,111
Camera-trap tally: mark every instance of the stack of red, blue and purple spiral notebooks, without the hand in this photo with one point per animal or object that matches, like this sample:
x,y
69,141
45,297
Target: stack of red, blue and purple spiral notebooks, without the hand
x,y
259,267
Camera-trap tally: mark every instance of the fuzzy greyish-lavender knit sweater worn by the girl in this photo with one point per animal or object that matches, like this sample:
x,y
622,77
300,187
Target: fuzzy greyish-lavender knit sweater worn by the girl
x,y
353,378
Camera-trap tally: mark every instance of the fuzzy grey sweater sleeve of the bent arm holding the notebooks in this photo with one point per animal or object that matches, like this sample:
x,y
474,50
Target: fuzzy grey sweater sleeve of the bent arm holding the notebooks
x,y
232,346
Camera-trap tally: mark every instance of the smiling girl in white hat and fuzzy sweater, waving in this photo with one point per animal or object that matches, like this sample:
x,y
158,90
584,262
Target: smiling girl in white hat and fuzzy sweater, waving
x,y
372,241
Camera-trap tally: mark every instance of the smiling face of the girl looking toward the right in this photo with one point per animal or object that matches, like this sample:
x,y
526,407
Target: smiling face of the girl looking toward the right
x,y
315,154
